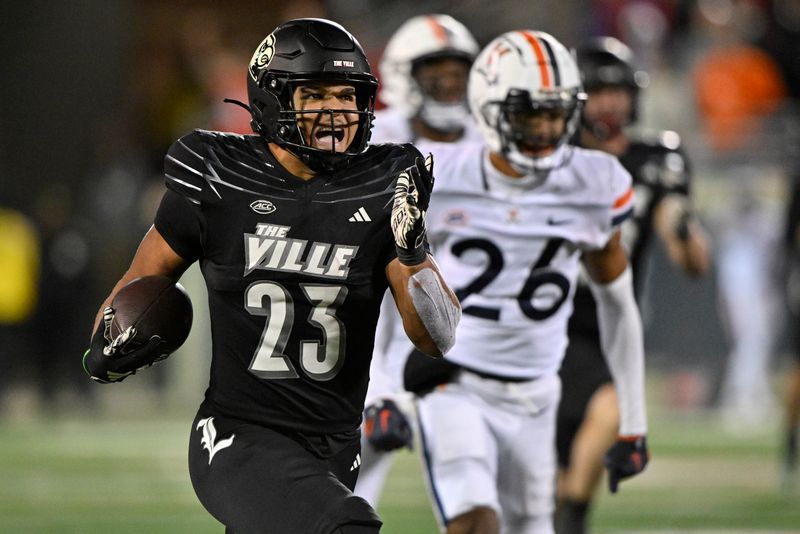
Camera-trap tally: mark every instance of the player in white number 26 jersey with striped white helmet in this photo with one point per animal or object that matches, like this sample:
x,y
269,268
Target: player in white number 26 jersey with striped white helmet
x,y
509,222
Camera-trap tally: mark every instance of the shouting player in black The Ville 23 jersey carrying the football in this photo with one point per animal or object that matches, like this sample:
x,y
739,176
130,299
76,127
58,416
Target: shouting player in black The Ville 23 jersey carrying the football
x,y
299,230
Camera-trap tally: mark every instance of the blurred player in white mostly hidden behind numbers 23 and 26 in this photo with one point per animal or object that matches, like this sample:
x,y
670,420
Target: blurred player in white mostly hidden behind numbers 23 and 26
x,y
424,72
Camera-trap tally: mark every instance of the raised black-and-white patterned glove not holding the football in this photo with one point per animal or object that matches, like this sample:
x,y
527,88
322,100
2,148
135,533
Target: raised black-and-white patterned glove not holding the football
x,y
412,192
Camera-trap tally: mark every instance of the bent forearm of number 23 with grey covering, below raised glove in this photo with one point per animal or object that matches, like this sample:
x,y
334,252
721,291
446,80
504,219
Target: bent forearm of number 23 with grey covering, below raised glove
x,y
429,309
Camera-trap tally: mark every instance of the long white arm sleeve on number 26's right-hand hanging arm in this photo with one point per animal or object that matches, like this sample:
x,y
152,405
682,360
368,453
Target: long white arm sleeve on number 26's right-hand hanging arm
x,y
622,342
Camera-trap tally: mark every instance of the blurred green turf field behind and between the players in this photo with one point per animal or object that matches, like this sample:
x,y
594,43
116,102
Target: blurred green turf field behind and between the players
x,y
76,474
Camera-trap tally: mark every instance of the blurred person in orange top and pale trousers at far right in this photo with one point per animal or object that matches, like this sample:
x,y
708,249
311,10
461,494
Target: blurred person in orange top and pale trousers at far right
x,y
739,92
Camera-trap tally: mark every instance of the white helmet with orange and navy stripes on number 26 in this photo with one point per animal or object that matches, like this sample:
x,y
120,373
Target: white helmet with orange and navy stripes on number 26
x,y
524,71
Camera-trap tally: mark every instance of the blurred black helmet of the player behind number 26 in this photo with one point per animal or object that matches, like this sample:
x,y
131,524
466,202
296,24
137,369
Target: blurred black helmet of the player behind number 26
x,y
606,61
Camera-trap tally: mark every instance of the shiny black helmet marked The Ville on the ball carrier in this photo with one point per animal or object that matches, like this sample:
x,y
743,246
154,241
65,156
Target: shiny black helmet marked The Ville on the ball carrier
x,y
298,52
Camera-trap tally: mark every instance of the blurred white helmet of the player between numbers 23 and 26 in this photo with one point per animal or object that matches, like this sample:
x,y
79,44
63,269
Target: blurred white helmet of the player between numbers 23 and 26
x,y
420,38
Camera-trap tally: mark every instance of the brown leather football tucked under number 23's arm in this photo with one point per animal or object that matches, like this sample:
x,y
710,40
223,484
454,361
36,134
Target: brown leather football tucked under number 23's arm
x,y
154,305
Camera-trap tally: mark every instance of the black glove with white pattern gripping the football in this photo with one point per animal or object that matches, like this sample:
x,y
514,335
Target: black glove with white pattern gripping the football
x,y
114,359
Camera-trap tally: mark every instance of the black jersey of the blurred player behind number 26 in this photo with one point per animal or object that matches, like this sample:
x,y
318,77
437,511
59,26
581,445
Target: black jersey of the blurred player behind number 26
x,y
659,168
